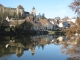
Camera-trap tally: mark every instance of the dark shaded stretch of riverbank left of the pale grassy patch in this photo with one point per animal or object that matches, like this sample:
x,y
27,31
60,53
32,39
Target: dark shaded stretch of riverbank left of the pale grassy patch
x,y
28,32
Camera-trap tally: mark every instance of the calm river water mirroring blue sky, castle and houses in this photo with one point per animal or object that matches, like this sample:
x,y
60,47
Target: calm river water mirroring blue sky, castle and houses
x,y
41,47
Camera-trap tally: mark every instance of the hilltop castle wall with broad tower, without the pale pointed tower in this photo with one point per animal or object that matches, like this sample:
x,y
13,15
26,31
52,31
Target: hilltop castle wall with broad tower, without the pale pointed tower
x,y
18,11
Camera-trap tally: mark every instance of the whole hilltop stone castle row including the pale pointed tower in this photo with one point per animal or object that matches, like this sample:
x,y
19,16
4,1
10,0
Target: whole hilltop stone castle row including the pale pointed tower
x,y
19,11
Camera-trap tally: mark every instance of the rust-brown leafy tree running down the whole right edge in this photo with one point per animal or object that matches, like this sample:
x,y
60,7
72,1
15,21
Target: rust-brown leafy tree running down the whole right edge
x,y
73,48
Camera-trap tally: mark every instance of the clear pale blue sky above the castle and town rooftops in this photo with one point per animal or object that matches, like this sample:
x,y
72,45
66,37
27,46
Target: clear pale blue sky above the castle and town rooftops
x,y
51,8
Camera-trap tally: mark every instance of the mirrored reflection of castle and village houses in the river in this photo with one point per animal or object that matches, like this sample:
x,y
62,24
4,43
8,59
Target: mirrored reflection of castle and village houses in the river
x,y
18,46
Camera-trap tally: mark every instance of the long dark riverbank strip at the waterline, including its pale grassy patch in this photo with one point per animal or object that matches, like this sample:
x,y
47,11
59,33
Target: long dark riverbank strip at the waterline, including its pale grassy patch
x,y
30,32
